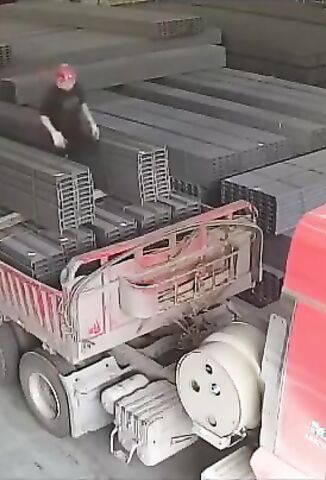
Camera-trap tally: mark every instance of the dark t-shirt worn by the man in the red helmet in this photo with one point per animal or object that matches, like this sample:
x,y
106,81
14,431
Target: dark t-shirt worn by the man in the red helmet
x,y
64,108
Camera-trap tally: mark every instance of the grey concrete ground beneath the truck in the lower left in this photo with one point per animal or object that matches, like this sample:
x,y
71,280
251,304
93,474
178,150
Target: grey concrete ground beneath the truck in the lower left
x,y
28,452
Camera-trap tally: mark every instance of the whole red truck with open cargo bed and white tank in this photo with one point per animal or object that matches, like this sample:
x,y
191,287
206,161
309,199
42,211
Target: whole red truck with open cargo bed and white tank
x,y
145,336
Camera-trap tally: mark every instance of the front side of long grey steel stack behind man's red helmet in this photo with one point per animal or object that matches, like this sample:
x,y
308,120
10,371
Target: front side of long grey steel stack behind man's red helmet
x,y
29,89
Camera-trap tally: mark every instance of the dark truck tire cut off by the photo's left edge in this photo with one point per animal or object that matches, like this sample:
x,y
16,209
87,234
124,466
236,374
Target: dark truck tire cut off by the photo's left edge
x,y
9,355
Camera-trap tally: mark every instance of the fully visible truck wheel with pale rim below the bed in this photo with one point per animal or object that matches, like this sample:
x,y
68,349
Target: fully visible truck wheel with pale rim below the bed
x,y
45,393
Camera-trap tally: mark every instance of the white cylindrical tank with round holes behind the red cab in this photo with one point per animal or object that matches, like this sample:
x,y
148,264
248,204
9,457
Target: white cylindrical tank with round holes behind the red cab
x,y
219,383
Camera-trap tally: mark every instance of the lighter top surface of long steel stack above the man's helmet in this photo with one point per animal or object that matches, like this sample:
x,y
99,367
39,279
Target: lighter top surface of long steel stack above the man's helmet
x,y
81,47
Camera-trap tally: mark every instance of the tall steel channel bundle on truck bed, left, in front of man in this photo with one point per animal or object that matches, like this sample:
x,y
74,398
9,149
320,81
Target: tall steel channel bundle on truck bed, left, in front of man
x,y
51,191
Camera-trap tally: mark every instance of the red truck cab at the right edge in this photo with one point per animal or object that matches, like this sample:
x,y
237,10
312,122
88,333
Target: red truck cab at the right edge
x,y
299,446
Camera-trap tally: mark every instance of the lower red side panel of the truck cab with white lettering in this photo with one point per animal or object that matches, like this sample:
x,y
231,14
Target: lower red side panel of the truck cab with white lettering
x,y
301,440
